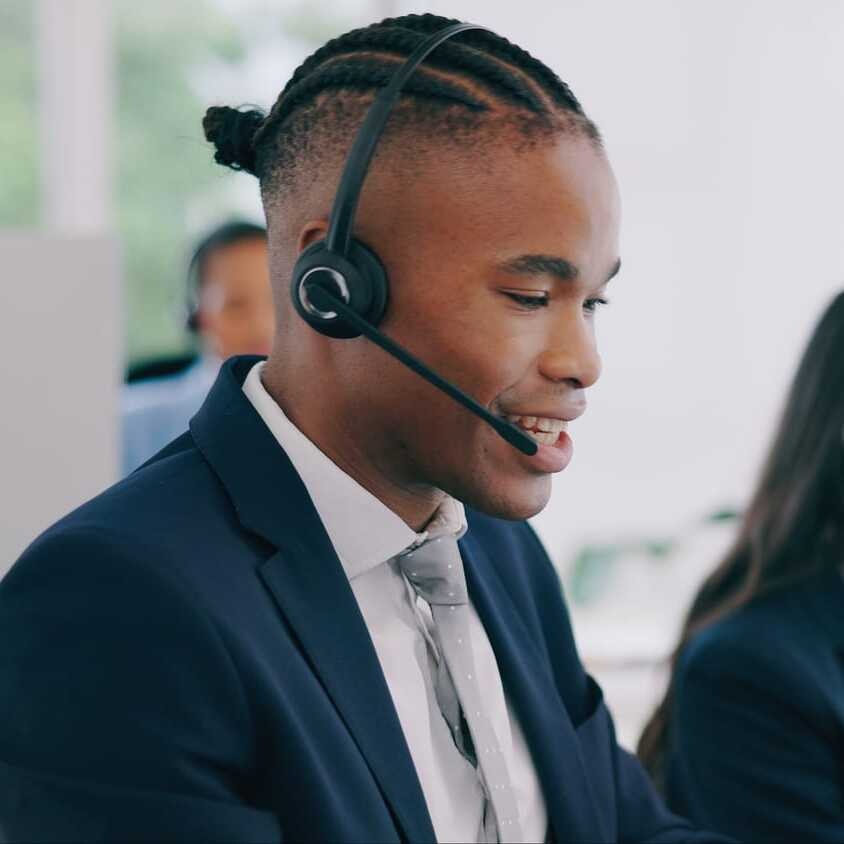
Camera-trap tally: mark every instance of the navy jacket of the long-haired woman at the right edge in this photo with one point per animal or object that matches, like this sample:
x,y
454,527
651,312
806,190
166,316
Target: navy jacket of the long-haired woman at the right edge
x,y
757,730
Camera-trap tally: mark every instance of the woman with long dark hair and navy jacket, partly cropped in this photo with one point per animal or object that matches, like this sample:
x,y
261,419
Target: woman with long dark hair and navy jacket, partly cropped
x,y
749,739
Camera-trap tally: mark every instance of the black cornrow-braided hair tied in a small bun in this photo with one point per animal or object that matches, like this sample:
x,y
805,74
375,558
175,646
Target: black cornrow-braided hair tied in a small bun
x,y
478,77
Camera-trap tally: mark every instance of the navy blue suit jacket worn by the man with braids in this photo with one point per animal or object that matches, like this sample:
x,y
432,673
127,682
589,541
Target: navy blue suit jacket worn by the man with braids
x,y
183,658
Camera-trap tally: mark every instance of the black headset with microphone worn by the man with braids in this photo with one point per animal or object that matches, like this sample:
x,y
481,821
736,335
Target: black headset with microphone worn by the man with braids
x,y
339,285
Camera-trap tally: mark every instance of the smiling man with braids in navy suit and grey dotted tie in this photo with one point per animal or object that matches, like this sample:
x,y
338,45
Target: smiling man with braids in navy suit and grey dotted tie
x,y
266,633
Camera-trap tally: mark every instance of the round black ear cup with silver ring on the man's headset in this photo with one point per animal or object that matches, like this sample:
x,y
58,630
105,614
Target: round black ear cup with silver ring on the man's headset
x,y
361,274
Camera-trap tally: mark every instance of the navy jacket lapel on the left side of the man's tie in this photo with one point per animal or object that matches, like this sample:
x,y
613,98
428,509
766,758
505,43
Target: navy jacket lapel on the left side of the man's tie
x,y
310,587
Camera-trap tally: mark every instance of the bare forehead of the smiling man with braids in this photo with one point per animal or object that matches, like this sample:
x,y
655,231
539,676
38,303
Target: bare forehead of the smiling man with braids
x,y
556,197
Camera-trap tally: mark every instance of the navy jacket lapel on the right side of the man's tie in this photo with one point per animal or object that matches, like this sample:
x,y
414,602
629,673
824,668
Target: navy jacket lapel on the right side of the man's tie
x,y
529,685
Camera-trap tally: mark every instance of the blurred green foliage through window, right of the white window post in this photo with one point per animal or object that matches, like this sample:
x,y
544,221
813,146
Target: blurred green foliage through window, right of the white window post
x,y
162,162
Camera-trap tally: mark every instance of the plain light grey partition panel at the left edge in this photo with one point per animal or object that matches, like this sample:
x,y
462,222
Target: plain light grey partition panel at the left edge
x,y
60,362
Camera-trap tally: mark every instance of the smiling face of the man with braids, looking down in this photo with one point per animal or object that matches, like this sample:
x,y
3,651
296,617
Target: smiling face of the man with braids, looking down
x,y
496,270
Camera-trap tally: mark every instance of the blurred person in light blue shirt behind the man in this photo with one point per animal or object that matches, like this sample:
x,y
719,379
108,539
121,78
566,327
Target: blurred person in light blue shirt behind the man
x,y
229,309
